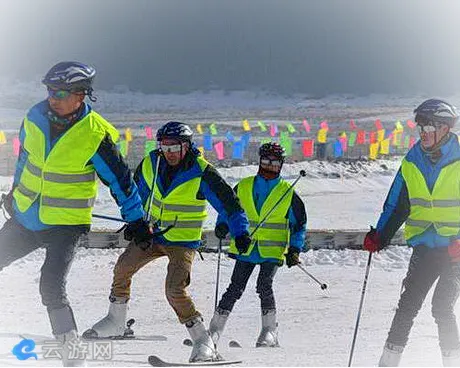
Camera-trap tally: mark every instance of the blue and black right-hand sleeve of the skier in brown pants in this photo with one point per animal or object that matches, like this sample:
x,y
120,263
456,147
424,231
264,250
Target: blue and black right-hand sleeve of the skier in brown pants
x,y
225,202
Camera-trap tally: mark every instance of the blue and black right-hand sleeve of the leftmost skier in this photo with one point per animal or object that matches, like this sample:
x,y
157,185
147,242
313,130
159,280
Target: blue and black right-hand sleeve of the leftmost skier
x,y
114,172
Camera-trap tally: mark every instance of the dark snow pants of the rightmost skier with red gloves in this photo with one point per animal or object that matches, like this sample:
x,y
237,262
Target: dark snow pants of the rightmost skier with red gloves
x,y
426,266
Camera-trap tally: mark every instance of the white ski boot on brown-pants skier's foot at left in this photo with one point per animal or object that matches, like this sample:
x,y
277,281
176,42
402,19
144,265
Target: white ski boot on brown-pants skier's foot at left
x,y
113,324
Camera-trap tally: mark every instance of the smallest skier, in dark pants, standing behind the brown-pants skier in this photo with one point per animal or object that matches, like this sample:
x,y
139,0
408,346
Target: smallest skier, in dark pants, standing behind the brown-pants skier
x,y
284,228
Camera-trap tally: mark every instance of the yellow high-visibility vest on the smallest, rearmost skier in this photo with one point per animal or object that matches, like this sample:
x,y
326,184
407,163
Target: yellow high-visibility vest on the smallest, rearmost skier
x,y
272,236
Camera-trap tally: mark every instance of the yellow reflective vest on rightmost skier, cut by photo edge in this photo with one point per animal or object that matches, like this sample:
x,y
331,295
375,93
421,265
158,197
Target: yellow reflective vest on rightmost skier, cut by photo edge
x,y
440,208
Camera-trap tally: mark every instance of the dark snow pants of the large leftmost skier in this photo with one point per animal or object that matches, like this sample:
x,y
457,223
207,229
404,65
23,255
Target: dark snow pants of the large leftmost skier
x,y
60,244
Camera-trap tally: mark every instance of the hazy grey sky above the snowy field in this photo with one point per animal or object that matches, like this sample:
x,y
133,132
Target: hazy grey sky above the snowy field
x,y
309,46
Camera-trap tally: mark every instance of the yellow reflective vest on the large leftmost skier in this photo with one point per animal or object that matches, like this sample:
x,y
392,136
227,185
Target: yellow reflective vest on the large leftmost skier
x,y
64,181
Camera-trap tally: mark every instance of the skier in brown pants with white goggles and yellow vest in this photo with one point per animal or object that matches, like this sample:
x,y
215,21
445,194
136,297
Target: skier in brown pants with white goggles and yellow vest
x,y
181,180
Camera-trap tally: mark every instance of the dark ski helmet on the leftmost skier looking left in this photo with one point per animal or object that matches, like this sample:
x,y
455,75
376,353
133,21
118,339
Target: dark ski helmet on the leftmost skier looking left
x,y
70,76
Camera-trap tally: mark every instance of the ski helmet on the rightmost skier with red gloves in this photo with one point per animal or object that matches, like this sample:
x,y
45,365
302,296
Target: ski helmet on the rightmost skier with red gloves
x,y
436,111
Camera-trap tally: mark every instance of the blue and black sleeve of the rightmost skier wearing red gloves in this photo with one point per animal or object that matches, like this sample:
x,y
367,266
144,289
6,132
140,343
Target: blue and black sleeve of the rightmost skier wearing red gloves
x,y
395,210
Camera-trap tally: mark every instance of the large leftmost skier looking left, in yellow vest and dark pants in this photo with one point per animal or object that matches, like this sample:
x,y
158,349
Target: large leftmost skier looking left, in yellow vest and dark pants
x,y
64,144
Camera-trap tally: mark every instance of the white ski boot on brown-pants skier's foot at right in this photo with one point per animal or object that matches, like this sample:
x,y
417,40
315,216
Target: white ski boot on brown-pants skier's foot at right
x,y
203,346
